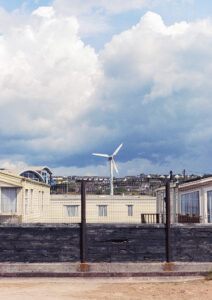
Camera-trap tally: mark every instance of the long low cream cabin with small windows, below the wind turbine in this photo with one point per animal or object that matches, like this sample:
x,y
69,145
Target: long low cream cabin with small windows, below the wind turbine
x,y
101,208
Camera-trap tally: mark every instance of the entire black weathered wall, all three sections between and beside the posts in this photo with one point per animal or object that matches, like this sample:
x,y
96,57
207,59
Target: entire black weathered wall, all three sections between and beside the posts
x,y
105,243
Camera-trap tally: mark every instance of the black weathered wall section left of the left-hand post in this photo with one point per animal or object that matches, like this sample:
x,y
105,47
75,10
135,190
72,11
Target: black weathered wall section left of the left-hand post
x,y
39,243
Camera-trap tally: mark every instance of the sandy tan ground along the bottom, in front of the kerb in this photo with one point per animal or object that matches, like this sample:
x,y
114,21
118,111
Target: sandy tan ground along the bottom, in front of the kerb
x,y
107,289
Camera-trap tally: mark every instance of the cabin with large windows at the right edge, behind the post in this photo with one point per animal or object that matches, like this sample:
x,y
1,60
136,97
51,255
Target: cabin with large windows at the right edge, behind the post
x,y
191,201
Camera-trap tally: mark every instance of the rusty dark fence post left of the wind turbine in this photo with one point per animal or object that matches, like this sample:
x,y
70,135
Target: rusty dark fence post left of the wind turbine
x,y
83,222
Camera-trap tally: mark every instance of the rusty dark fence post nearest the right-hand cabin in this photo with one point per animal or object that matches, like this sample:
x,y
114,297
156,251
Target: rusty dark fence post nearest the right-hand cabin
x,y
168,223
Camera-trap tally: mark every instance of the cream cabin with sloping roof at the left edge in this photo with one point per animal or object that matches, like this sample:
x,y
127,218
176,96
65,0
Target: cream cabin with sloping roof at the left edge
x,y
22,199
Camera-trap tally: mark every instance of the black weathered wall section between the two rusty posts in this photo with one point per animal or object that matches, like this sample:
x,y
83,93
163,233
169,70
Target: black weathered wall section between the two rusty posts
x,y
125,243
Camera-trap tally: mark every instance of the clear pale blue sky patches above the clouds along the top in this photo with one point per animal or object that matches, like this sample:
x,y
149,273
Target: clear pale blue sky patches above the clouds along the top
x,y
171,12
